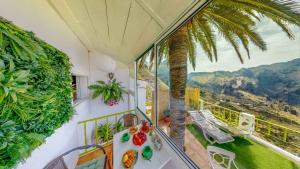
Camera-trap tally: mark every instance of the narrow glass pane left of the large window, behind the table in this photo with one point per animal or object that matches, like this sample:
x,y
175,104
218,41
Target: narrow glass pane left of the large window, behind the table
x,y
146,84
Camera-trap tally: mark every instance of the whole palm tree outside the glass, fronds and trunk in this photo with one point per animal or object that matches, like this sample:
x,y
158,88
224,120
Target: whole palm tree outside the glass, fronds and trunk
x,y
233,20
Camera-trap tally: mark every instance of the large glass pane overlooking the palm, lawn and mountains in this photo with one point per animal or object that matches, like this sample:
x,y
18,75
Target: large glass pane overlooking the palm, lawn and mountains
x,y
228,78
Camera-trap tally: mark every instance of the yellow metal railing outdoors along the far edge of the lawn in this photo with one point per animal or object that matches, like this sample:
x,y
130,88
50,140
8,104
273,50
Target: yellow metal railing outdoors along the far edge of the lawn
x,y
275,133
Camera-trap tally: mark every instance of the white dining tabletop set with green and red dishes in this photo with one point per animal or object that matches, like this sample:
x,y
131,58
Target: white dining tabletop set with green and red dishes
x,y
158,160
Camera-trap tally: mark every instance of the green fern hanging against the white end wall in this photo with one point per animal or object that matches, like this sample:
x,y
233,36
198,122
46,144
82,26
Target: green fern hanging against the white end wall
x,y
112,92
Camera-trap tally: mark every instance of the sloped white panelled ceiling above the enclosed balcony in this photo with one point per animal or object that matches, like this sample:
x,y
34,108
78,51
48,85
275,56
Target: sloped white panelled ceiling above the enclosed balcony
x,y
122,29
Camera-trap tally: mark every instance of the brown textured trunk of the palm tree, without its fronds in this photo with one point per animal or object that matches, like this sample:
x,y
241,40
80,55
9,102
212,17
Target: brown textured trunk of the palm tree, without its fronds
x,y
178,76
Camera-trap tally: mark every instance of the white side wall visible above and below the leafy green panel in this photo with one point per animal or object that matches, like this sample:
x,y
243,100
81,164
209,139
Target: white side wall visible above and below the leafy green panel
x,y
38,16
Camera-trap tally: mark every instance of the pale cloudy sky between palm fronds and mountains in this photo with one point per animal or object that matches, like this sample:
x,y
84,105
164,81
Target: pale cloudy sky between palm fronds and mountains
x,y
279,49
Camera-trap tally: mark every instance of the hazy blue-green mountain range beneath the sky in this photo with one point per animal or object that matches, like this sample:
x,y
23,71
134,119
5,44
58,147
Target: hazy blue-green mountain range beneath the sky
x,y
275,82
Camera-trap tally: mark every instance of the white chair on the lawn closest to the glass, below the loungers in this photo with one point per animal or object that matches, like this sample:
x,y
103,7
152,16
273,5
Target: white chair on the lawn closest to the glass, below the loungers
x,y
220,158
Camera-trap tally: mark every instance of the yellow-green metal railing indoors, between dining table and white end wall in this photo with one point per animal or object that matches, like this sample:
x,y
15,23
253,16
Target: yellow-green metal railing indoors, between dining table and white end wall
x,y
95,122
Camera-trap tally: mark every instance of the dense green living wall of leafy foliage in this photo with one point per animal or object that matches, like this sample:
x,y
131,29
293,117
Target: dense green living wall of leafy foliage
x,y
35,92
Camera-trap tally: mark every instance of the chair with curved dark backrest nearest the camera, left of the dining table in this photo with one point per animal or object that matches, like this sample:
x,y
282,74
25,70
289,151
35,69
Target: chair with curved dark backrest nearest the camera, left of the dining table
x,y
58,162
